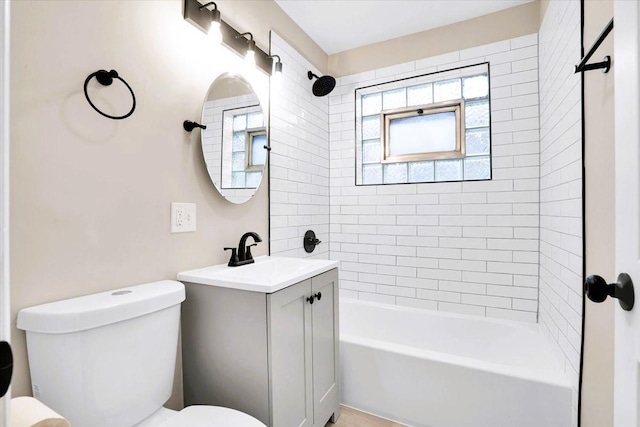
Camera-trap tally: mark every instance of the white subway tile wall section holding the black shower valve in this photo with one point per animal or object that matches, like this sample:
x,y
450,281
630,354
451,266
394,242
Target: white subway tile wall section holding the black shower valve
x,y
299,175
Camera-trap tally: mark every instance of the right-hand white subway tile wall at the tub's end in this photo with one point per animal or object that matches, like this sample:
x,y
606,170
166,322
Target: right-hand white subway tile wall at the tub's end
x,y
561,186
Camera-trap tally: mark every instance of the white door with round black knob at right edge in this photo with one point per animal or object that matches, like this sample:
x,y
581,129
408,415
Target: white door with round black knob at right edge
x,y
627,149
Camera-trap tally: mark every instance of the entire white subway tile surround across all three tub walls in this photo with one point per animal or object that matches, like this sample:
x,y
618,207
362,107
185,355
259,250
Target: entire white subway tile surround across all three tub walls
x,y
507,248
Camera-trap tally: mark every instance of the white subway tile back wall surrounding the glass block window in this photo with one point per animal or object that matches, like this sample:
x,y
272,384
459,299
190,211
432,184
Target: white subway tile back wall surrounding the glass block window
x,y
464,247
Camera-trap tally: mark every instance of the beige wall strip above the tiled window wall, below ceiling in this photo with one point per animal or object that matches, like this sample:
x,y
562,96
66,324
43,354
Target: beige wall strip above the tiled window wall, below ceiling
x,y
505,24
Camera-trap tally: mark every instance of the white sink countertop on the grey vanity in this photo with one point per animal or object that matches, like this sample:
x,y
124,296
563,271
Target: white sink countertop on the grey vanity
x,y
267,274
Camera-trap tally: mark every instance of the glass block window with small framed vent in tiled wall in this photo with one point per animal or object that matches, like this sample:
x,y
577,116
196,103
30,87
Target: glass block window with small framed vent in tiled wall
x,y
429,128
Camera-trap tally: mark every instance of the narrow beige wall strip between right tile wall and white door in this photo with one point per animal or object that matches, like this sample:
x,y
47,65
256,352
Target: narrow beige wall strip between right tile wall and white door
x,y
597,389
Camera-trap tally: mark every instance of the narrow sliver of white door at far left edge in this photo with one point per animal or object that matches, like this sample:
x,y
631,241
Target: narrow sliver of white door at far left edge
x,y
5,350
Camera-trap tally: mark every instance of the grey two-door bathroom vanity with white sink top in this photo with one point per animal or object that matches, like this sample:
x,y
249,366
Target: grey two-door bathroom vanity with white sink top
x,y
263,339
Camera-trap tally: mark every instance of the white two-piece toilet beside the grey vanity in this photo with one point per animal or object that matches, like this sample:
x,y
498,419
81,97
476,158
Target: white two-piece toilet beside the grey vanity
x,y
108,359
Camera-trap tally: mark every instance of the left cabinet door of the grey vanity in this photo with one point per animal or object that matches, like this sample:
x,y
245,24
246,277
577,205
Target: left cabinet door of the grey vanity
x,y
290,356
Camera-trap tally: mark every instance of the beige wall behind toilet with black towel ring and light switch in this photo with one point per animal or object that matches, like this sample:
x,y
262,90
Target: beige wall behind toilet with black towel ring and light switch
x,y
90,197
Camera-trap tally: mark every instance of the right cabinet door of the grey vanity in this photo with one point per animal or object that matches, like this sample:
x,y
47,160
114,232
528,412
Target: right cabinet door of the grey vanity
x,y
324,314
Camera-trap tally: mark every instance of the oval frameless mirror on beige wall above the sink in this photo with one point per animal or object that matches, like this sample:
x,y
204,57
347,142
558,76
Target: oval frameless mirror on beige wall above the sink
x,y
234,142
